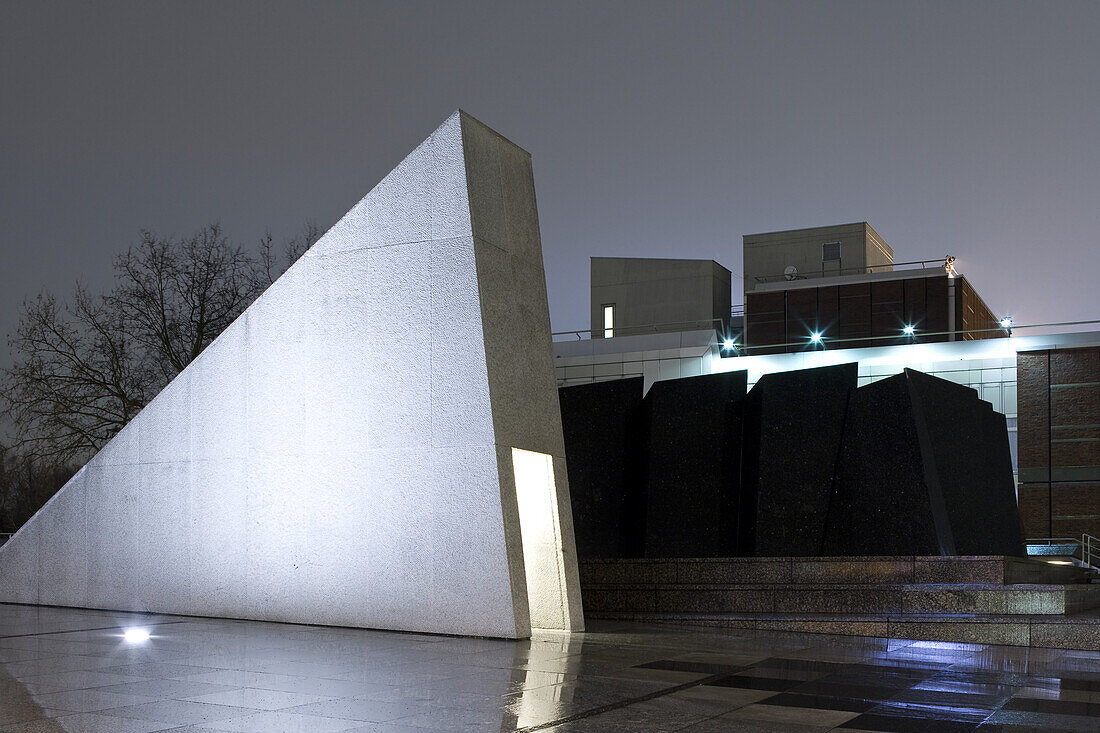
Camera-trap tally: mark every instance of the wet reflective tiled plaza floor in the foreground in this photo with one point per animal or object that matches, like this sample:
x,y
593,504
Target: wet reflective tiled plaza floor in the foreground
x,y
73,671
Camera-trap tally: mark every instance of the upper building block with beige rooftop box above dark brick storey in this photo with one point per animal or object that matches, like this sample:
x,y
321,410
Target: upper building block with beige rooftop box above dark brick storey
x,y
840,286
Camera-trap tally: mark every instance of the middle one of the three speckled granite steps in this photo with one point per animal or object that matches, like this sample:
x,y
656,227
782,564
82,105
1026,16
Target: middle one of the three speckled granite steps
x,y
900,599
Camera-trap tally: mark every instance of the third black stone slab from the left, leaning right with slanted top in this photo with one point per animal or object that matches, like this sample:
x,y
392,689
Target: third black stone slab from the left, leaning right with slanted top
x,y
794,430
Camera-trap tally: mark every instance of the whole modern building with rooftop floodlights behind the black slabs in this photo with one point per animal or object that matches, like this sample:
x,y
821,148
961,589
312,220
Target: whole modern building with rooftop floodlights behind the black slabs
x,y
1047,382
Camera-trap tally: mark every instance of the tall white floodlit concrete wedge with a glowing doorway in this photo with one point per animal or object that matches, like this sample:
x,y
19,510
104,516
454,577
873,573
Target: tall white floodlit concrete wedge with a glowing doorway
x,y
343,454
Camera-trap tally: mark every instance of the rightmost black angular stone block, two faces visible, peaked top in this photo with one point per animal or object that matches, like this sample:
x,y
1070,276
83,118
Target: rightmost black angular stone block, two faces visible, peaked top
x,y
925,469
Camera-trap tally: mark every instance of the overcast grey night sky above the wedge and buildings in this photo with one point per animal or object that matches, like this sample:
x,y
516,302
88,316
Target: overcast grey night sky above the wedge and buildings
x,y
662,129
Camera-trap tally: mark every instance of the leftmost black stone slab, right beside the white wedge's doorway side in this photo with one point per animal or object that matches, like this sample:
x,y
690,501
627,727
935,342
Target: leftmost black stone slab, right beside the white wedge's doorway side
x,y
602,424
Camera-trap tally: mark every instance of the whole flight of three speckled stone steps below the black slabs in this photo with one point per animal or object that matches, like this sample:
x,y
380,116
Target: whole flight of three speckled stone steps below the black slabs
x,y
986,600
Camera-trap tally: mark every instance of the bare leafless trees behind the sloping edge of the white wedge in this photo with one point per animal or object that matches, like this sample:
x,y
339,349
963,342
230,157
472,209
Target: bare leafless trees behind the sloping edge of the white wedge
x,y
84,369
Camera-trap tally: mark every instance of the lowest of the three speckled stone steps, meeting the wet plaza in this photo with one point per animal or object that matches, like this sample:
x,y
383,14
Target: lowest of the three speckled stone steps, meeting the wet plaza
x,y
1082,632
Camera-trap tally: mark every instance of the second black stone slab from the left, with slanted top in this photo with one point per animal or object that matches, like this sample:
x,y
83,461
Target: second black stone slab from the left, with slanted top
x,y
692,461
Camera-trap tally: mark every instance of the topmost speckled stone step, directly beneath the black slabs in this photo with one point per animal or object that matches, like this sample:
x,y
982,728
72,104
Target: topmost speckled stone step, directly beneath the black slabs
x,y
754,571
